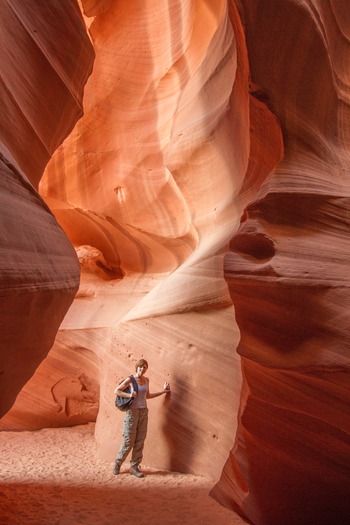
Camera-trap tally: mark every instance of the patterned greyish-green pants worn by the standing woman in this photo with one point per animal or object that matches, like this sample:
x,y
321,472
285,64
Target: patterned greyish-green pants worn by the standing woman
x,y
134,434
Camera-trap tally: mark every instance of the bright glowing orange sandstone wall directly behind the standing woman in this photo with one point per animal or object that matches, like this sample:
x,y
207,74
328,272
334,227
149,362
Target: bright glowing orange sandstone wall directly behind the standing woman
x,y
150,187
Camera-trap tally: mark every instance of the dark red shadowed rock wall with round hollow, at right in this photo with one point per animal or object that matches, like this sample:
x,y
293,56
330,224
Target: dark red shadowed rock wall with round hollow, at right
x,y
288,277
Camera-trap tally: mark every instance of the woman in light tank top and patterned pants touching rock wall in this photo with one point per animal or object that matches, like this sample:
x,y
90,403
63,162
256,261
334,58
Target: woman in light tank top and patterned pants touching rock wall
x,y
136,419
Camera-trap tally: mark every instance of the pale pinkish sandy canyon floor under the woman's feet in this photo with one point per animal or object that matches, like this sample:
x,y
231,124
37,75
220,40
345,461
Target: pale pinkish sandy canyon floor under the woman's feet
x,y
54,477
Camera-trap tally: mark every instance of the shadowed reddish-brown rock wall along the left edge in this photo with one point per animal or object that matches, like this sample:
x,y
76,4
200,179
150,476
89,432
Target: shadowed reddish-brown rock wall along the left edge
x,y
41,90
